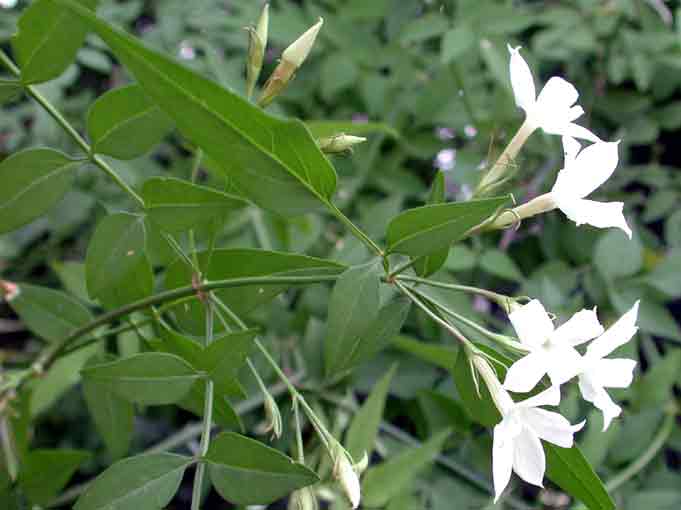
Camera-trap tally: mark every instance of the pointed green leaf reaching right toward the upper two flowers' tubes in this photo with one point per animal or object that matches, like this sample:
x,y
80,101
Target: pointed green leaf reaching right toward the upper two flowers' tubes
x,y
425,230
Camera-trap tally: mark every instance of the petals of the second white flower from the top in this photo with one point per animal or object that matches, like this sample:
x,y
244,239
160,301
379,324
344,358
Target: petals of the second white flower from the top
x,y
583,172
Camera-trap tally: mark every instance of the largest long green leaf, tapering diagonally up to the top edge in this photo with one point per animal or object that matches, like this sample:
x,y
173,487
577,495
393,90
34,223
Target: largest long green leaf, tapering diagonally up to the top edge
x,y
274,162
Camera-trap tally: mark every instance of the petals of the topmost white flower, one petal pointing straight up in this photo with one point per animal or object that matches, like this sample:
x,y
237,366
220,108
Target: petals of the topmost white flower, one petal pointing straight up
x,y
554,110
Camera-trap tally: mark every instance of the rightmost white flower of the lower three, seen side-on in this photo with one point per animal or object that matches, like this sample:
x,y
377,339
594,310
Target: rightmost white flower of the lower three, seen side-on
x,y
599,372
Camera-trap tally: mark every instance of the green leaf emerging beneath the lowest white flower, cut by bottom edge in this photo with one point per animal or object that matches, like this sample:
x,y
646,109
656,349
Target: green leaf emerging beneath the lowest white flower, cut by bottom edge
x,y
568,469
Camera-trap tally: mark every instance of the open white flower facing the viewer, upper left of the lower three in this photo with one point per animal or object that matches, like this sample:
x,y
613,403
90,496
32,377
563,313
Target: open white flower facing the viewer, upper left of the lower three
x,y
551,350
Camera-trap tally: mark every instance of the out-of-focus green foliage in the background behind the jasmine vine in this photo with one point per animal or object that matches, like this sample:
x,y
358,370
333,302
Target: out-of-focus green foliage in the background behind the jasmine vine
x,y
435,74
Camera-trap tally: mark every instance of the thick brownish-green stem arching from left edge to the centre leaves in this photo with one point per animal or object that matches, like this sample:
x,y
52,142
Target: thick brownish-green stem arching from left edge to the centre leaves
x,y
53,350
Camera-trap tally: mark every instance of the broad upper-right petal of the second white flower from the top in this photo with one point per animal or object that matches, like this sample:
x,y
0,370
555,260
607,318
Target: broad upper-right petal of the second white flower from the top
x,y
590,168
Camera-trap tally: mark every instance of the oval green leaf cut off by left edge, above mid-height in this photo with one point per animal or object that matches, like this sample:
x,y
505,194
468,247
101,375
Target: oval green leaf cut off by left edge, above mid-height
x,y
33,181
